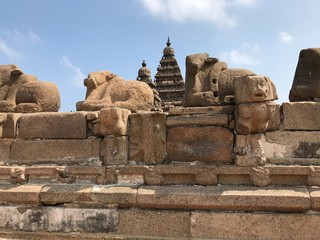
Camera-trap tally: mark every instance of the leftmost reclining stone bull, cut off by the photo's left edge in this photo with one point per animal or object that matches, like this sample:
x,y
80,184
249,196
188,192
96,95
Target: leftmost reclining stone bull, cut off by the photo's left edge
x,y
21,92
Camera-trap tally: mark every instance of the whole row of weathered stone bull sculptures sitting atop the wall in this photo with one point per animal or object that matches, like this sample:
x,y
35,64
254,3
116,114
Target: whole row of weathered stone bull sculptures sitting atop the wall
x,y
208,82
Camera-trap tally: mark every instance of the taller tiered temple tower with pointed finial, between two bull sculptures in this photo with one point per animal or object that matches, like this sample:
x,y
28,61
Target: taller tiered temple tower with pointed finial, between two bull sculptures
x,y
168,80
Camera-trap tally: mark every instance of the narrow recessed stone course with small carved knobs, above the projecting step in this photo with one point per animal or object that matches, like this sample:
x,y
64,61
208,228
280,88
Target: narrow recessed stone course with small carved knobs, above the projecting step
x,y
162,175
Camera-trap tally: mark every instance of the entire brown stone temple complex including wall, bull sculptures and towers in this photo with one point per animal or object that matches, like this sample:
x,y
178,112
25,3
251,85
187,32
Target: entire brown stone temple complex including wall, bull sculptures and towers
x,y
229,164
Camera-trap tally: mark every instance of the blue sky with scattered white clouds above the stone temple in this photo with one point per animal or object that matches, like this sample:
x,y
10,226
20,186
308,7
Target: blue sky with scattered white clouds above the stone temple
x,y
63,41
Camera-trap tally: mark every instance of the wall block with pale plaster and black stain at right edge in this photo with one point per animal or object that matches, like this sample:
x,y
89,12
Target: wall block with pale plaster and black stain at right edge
x,y
298,147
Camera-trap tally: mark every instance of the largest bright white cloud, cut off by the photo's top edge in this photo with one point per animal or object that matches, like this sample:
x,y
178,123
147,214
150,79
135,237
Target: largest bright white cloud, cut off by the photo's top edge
x,y
214,11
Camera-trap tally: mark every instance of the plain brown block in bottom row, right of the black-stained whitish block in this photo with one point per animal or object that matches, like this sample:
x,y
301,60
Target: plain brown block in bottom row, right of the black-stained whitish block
x,y
166,224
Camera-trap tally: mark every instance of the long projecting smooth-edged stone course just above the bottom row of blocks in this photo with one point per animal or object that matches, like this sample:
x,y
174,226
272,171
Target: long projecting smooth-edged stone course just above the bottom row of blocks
x,y
222,198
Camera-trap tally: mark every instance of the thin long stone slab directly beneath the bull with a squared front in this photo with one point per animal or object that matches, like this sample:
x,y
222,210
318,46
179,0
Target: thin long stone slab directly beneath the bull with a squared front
x,y
228,109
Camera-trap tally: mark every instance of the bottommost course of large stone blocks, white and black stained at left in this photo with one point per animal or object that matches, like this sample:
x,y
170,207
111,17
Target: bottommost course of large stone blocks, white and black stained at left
x,y
55,223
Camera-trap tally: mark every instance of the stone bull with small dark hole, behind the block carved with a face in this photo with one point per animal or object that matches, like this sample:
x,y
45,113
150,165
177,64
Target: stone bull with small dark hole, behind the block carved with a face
x,y
209,81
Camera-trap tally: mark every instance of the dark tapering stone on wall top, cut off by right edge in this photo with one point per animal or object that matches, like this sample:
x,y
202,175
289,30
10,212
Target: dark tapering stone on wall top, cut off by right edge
x,y
306,86
